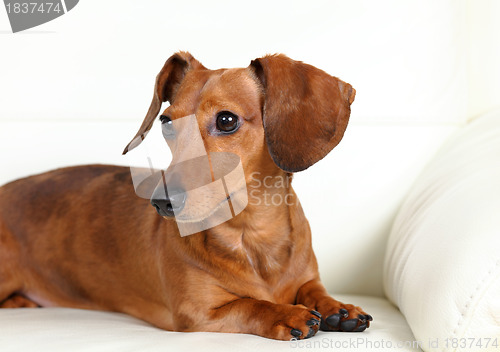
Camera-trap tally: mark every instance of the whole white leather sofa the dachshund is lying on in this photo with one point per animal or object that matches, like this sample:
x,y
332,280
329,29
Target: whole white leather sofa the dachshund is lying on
x,y
405,212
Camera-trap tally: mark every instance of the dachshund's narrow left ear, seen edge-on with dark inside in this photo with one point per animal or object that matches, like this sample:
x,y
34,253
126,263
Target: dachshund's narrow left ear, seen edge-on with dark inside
x,y
167,83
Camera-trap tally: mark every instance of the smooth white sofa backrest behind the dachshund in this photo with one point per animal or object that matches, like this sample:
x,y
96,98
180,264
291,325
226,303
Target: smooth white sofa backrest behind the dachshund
x,y
75,90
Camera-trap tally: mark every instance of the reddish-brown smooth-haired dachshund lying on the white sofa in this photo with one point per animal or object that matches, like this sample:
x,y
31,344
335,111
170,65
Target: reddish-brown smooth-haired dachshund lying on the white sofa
x,y
80,237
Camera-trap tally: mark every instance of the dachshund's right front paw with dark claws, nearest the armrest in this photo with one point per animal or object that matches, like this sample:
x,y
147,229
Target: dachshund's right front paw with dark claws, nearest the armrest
x,y
344,317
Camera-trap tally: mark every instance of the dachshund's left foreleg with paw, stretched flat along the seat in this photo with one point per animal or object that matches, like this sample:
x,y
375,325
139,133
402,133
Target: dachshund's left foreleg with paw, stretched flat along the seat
x,y
263,318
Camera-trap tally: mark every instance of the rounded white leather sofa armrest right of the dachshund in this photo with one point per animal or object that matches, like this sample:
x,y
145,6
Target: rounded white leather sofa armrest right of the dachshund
x,y
442,266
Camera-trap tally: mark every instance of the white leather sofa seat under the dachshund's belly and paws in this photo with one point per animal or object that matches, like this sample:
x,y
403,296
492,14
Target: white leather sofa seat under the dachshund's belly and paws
x,y
64,329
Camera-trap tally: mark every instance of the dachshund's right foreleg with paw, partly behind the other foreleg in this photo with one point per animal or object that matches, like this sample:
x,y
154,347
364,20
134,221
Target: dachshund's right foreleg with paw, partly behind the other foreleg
x,y
336,316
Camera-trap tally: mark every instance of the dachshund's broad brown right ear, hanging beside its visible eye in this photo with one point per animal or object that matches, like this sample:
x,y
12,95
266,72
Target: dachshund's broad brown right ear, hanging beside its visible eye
x,y
305,111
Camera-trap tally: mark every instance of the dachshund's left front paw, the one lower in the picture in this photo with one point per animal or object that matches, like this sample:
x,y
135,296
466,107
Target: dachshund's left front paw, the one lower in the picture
x,y
295,323
